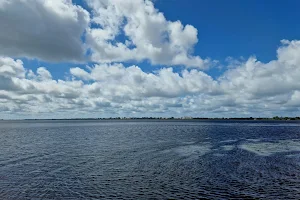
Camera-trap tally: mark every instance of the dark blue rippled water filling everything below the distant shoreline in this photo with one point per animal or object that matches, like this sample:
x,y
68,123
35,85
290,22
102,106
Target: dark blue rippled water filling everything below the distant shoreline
x,y
149,160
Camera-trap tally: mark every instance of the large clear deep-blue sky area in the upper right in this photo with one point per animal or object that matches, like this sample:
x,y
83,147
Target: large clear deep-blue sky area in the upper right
x,y
237,28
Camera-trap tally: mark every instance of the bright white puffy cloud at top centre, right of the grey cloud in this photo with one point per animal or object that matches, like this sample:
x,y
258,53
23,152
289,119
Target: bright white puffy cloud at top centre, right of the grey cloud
x,y
148,35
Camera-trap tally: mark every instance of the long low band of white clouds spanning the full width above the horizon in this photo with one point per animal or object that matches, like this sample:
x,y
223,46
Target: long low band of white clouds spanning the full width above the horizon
x,y
245,89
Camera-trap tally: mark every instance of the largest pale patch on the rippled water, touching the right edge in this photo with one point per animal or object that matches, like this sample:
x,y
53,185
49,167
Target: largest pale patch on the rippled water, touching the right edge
x,y
270,148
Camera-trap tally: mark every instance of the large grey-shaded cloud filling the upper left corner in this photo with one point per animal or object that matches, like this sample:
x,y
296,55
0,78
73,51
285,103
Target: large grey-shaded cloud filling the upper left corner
x,y
46,29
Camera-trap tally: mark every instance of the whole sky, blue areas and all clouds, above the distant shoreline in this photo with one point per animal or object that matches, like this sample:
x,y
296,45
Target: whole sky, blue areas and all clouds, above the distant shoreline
x,y
138,58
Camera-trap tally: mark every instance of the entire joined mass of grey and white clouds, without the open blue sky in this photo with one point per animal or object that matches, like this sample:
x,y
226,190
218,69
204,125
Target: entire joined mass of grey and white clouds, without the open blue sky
x,y
113,33
